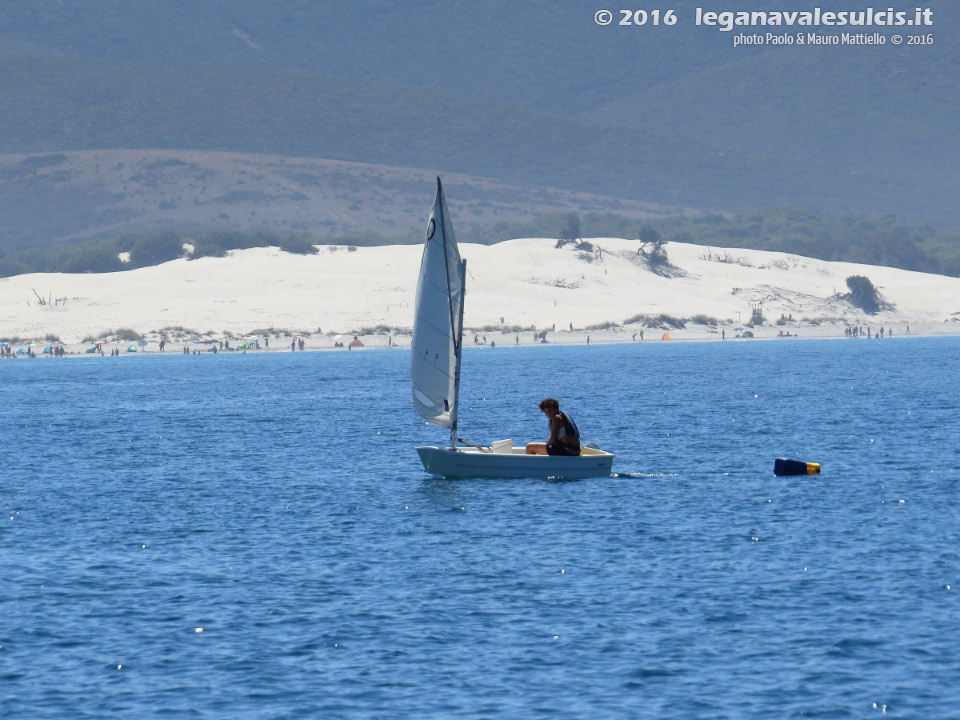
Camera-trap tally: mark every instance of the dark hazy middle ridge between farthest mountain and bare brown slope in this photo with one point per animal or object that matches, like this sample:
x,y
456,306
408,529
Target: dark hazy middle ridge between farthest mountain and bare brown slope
x,y
70,104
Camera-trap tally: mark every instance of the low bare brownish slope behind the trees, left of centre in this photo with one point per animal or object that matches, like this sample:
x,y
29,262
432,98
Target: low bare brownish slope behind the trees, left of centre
x,y
106,193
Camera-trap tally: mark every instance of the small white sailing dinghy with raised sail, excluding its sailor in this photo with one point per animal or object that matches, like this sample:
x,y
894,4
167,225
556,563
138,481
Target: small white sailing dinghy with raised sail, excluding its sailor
x,y
435,357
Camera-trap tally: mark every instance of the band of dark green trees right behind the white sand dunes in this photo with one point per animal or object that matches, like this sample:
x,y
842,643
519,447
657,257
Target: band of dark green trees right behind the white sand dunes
x,y
851,238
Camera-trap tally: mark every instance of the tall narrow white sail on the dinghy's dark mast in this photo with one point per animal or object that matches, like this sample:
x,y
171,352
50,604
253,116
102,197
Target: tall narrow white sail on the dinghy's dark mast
x,y
438,322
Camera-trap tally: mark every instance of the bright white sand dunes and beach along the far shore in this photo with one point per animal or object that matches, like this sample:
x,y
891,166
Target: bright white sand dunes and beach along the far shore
x,y
515,290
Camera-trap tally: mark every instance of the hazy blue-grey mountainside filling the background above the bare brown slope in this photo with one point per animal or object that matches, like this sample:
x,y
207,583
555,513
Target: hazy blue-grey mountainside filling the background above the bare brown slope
x,y
532,93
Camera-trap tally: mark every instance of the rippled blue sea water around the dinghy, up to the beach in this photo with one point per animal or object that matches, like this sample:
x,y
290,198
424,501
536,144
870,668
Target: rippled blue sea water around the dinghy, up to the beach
x,y
252,536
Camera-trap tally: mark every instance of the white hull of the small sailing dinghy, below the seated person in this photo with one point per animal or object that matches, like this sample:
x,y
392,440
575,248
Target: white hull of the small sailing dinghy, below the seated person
x,y
472,462
